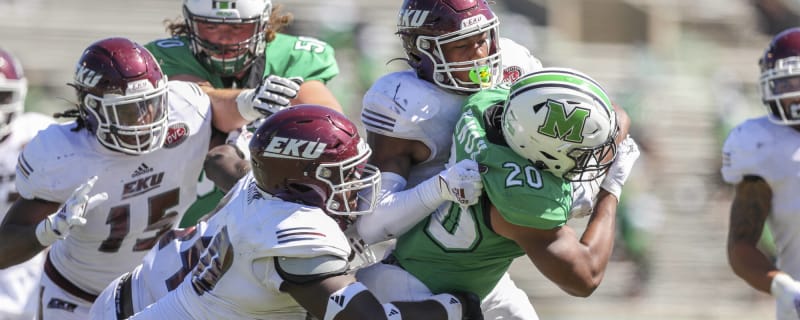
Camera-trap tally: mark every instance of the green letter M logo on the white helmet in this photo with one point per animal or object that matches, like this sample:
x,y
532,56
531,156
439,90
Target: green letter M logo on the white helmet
x,y
559,124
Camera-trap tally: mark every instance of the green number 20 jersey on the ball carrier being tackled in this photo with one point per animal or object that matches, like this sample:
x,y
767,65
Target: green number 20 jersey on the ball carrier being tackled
x,y
456,249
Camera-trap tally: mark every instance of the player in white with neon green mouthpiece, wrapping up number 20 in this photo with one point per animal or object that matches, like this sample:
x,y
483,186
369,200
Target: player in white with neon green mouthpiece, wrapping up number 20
x,y
453,49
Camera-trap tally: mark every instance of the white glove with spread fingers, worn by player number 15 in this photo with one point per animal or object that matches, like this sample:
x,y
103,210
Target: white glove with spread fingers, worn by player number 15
x,y
57,225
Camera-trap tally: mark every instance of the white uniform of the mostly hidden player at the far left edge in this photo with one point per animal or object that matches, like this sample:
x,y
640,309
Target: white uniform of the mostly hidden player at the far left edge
x,y
20,283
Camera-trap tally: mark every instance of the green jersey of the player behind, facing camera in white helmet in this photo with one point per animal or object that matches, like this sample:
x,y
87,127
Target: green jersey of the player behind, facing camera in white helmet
x,y
285,56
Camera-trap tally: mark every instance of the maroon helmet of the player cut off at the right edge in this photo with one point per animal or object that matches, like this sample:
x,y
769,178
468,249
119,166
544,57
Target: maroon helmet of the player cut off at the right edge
x,y
780,77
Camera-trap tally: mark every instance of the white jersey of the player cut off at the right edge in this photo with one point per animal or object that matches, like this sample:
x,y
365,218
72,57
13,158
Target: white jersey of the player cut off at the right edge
x,y
771,151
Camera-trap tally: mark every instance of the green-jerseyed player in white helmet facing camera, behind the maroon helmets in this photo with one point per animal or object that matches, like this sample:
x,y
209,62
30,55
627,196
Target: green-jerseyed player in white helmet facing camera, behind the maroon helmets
x,y
229,47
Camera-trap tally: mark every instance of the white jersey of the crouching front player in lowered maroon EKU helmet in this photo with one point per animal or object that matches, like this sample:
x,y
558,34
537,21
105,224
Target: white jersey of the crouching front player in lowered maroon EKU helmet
x,y
235,277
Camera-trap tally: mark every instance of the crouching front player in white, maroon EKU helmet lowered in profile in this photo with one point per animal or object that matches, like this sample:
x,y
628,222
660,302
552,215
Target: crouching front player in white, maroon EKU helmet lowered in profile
x,y
275,247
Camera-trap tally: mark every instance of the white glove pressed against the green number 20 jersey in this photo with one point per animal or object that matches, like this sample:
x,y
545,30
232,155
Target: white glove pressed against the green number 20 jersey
x,y
460,183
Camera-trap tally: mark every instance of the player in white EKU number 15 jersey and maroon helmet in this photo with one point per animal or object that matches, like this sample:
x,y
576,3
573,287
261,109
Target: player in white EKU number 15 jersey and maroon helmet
x,y
140,142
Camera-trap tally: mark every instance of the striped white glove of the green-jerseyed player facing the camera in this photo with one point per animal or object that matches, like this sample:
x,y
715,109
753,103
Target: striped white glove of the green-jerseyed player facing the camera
x,y
272,95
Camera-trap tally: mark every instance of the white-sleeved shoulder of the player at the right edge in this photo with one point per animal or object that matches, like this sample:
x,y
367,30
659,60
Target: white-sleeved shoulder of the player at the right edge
x,y
746,149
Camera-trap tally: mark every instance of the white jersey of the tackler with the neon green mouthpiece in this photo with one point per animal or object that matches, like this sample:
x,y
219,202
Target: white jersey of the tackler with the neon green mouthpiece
x,y
401,105
